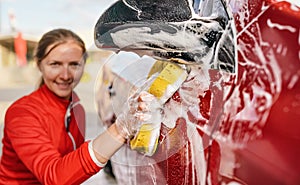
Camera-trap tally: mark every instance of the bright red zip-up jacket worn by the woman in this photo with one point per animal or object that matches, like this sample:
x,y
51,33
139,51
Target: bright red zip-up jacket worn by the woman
x,y
36,145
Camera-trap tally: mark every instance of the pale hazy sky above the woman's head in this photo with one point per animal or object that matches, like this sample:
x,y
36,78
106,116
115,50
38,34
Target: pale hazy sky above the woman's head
x,y
34,17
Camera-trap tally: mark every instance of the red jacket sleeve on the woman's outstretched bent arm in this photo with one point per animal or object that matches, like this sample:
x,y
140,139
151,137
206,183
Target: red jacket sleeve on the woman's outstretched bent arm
x,y
35,149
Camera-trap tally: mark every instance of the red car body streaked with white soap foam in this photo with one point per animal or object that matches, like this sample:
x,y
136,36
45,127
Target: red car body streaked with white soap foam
x,y
246,133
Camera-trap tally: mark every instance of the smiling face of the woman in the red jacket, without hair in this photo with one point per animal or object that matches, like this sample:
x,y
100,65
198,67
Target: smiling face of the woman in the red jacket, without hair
x,y
63,68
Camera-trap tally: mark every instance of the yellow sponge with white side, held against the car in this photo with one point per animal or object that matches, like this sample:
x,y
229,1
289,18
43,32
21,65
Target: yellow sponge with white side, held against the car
x,y
168,81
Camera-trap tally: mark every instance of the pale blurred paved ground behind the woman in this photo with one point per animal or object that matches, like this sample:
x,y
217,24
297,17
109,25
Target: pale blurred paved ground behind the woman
x,y
15,83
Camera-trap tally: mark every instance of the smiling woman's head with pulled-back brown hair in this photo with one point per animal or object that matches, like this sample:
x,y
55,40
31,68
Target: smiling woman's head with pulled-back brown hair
x,y
63,63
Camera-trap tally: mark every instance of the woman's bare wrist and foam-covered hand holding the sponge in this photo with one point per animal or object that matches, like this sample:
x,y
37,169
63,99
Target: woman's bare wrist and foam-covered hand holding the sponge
x,y
140,108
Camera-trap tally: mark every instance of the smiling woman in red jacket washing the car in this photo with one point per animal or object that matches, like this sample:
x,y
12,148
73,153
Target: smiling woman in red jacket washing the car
x,y
44,132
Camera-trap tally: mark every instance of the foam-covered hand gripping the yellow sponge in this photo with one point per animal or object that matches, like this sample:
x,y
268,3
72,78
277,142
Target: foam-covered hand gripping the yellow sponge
x,y
140,108
